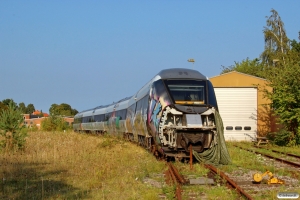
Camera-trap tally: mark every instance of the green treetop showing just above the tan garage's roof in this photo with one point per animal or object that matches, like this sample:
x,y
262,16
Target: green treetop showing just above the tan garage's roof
x,y
253,67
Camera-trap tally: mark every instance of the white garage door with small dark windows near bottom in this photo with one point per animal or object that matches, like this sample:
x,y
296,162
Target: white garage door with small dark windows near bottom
x,y
238,107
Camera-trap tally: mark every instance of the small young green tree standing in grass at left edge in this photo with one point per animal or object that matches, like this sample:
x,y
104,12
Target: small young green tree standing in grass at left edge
x,y
11,126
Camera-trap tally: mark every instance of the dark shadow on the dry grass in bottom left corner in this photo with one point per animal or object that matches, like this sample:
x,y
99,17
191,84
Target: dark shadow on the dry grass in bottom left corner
x,y
35,181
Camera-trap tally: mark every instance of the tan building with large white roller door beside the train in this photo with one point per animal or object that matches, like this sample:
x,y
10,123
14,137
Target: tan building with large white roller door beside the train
x,y
243,108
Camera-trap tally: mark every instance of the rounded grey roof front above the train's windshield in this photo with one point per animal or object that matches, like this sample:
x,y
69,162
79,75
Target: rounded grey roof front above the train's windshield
x,y
181,73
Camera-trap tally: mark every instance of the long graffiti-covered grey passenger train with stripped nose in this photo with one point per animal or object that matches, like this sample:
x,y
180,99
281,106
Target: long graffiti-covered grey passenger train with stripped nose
x,y
172,114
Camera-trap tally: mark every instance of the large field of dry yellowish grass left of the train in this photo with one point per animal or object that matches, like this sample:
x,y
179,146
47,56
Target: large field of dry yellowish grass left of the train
x,y
76,166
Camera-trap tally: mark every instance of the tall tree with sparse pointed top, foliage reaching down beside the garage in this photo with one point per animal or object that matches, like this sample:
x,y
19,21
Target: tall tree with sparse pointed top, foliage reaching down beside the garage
x,y
282,70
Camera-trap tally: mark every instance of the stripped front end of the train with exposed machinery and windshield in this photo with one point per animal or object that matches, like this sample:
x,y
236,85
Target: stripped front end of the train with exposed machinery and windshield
x,y
182,113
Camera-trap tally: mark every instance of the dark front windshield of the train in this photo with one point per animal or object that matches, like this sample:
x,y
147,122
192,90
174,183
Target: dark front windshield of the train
x,y
187,91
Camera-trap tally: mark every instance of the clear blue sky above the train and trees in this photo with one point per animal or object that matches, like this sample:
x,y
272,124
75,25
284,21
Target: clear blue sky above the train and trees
x,y
91,53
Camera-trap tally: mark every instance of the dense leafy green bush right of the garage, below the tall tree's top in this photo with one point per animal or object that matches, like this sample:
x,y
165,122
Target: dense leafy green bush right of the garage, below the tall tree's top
x,y
285,97
